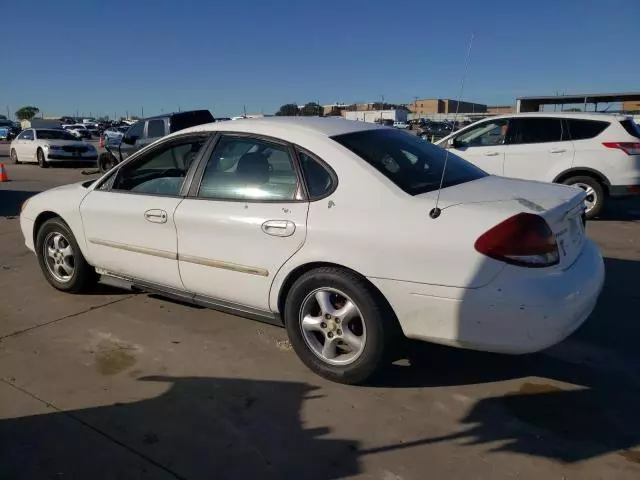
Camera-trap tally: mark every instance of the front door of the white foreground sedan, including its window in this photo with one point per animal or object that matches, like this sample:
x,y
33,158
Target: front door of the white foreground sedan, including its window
x,y
129,219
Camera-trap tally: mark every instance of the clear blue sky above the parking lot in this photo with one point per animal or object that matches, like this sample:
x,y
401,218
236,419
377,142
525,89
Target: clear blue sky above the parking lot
x,y
118,55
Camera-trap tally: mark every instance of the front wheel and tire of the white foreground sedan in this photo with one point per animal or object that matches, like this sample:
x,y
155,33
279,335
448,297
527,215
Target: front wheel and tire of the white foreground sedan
x,y
61,259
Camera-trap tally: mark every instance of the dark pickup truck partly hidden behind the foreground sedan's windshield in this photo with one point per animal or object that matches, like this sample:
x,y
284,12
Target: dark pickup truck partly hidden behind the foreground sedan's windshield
x,y
145,132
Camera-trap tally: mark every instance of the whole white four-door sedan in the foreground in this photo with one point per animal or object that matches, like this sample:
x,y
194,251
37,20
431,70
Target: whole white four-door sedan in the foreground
x,y
332,229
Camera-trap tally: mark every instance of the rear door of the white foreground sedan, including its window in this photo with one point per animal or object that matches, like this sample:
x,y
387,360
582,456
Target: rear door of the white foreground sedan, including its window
x,y
244,219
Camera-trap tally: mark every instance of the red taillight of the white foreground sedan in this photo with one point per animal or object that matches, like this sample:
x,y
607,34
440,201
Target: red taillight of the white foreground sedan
x,y
524,239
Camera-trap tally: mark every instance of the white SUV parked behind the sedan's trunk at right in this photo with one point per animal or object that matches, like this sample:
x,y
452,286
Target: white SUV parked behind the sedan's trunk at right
x,y
596,152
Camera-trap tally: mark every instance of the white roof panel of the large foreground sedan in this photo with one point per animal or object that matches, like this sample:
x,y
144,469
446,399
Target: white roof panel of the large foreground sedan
x,y
269,125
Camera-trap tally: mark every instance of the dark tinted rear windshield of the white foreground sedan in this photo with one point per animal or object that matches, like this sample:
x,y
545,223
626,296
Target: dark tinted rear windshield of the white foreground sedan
x,y
413,164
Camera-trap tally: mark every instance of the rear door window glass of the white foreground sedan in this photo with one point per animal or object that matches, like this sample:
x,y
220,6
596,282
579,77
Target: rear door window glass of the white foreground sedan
x,y
244,168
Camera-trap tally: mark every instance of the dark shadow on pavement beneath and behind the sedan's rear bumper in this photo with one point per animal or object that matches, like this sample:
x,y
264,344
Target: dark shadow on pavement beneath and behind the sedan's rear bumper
x,y
574,401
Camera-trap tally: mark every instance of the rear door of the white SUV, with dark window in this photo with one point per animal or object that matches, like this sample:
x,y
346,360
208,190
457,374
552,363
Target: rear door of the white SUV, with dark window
x,y
537,148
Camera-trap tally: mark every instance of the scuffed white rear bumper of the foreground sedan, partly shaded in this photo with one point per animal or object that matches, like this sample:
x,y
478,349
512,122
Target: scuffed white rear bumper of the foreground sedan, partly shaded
x,y
519,312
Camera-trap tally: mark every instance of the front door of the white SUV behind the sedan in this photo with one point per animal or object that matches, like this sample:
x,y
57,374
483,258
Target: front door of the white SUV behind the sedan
x,y
483,145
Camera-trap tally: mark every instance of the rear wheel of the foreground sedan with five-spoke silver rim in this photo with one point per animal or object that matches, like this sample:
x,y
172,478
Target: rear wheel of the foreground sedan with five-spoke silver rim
x,y
364,341
